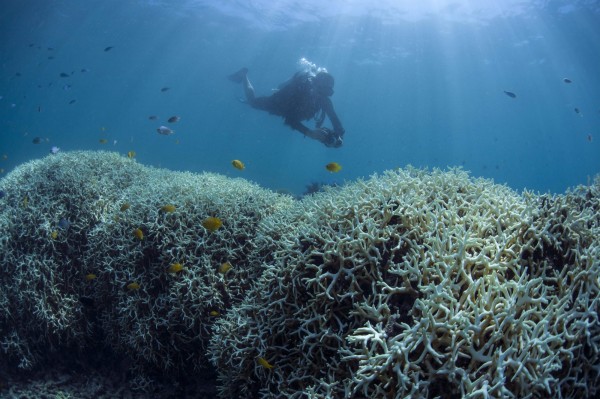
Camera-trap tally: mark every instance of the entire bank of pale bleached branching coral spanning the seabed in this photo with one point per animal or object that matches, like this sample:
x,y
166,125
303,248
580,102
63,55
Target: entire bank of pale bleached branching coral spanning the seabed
x,y
414,283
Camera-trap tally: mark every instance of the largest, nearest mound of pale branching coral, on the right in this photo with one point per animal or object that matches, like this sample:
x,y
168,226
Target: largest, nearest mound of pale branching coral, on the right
x,y
417,284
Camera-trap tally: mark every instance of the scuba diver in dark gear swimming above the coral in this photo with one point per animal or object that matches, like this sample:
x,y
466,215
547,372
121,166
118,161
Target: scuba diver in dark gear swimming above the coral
x,y
304,96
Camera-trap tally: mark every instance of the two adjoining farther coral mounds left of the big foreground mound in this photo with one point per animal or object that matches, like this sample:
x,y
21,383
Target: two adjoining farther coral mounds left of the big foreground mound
x,y
67,288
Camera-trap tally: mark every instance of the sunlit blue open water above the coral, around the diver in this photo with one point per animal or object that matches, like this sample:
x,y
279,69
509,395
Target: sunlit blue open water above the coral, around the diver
x,y
416,84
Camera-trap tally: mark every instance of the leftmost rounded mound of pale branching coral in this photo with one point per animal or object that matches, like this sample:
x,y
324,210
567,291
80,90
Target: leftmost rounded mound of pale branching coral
x,y
49,207
